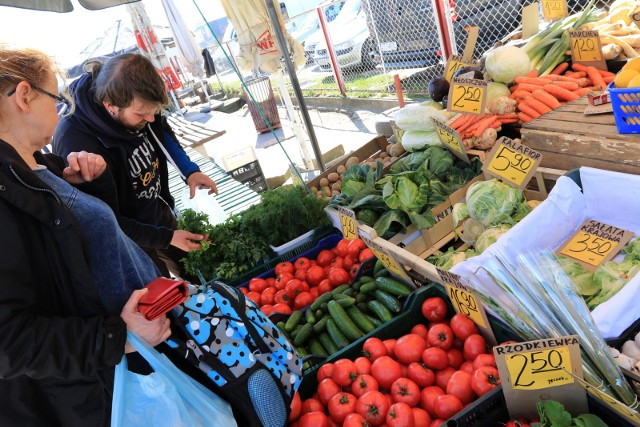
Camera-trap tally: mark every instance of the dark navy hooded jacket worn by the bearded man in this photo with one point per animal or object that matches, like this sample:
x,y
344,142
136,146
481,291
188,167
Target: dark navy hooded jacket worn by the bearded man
x,y
90,128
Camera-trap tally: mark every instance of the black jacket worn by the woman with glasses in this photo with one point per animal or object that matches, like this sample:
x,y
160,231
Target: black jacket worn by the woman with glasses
x,y
58,347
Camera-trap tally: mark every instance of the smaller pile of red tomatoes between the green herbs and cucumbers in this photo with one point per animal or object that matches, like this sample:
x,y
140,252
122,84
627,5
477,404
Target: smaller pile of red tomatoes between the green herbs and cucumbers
x,y
297,284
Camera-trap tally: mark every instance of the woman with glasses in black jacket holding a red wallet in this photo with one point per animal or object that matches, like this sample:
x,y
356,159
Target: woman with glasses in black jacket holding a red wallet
x,y
58,341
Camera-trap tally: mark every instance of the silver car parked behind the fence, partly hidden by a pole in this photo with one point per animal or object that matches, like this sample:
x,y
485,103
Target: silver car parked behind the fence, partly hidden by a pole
x,y
351,39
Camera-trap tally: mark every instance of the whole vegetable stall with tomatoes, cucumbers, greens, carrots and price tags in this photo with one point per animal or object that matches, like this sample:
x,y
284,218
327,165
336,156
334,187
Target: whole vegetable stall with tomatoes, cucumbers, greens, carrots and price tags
x,y
481,266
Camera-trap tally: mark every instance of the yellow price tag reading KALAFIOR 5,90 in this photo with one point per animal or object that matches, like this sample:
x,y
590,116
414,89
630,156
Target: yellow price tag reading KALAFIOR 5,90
x,y
512,162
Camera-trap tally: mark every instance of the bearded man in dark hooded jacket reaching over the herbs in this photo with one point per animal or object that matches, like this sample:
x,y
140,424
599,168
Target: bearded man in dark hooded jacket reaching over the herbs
x,y
117,115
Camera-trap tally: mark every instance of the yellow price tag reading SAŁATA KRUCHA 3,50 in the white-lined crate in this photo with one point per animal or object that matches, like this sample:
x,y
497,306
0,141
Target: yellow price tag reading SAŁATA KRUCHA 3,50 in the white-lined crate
x,y
595,242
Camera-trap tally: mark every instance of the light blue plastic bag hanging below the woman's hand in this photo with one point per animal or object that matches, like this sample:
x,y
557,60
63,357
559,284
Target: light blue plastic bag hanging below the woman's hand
x,y
167,397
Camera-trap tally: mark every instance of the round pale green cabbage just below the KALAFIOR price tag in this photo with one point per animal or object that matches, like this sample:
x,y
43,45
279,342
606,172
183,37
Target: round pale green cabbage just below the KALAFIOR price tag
x,y
493,202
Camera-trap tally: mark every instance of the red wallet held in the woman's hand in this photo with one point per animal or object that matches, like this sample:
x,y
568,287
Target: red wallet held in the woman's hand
x,y
164,294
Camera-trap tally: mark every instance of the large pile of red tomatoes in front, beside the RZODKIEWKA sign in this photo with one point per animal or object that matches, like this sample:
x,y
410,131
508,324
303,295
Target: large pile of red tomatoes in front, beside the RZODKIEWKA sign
x,y
420,379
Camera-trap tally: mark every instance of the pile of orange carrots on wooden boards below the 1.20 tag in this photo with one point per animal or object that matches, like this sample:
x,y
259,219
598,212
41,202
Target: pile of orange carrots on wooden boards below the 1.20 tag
x,y
539,95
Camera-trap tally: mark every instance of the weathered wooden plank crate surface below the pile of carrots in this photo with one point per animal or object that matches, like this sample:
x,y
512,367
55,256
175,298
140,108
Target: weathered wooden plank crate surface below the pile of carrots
x,y
568,139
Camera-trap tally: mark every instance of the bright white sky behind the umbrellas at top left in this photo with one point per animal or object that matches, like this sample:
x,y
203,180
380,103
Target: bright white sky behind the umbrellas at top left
x,y
64,35
